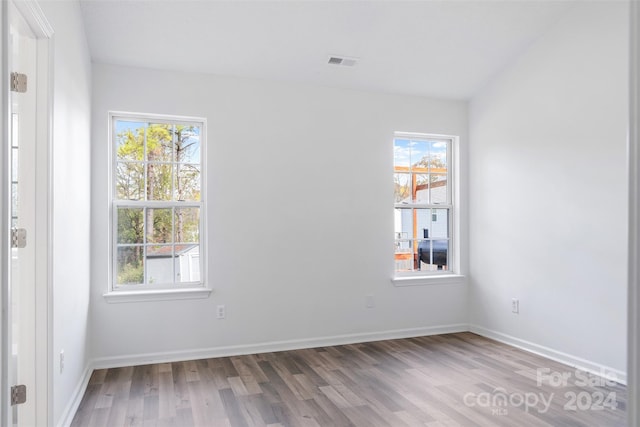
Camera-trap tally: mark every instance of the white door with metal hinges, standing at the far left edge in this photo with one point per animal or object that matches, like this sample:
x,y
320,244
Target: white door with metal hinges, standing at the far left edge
x,y
20,295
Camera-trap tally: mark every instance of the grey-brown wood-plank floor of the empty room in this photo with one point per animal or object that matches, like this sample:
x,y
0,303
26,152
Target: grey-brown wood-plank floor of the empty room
x,y
445,380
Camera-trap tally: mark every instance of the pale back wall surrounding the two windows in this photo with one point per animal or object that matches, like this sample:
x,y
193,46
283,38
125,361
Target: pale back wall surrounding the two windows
x,y
300,215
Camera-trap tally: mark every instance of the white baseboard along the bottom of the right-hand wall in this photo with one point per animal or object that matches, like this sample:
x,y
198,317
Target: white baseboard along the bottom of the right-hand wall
x,y
558,356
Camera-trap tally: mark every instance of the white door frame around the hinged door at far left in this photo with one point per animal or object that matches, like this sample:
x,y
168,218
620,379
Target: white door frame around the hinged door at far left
x,y
42,237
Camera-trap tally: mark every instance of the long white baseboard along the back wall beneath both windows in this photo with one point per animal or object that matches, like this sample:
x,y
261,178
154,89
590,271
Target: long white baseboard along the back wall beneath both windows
x,y
238,350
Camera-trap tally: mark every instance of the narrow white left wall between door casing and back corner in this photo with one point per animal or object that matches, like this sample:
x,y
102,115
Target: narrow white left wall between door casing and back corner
x,y
71,199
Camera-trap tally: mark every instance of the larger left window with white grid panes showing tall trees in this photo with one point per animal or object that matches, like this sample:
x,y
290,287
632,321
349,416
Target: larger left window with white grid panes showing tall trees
x,y
157,200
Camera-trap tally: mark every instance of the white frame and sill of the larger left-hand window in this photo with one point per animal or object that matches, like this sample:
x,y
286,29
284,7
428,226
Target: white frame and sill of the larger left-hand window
x,y
166,291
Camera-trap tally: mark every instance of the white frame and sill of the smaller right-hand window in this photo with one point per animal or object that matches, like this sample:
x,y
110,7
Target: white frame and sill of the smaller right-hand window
x,y
453,275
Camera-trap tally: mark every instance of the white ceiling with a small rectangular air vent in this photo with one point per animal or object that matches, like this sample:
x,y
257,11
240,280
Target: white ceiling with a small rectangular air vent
x,y
446,48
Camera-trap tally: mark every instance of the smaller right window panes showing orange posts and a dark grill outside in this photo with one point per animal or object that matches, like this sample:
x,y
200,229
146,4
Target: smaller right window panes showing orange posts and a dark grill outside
x,y
423,209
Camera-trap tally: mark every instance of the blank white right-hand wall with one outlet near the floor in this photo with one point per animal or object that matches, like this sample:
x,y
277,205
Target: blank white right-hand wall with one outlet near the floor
x,y
548,192
